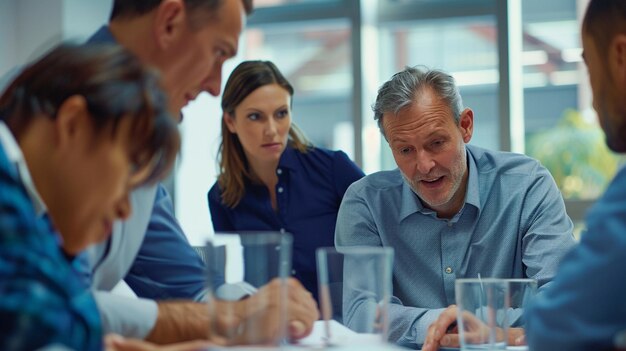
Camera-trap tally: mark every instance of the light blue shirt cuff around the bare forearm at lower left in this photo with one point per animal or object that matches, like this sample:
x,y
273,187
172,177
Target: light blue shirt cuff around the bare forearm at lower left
x,y
127,316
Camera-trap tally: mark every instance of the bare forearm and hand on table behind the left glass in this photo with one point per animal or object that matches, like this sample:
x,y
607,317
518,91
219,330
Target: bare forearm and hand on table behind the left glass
x,y
254,320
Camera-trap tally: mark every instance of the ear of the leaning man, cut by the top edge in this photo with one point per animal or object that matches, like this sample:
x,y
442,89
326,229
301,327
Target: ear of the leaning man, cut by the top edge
x,y
169,19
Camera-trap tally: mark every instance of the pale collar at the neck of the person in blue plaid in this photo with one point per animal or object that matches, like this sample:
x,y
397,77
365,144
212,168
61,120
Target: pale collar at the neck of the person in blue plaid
x,y
16,157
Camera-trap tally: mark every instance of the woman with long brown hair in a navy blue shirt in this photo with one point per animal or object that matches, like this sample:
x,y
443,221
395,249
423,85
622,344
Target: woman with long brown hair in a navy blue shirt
x,y
271,177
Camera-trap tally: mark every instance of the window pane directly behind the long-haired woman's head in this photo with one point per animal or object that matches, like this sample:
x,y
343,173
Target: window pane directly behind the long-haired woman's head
x,y
316,58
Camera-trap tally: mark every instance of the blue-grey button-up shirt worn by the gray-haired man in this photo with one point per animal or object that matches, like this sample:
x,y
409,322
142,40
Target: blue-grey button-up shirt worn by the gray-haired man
x,y
513,224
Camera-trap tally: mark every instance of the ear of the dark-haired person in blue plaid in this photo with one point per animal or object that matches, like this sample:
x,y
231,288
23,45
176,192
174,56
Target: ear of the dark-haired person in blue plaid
x,y
72,121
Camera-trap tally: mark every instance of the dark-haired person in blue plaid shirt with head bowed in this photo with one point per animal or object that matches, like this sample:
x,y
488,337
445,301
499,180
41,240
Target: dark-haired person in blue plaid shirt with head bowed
x,y
79,129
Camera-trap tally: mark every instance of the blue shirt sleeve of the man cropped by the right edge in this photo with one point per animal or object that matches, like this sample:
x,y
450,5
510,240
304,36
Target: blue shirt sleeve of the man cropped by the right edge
x,y
585,307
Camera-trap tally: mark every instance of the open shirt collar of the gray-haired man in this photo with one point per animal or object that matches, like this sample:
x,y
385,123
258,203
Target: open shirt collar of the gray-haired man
x,y
412,204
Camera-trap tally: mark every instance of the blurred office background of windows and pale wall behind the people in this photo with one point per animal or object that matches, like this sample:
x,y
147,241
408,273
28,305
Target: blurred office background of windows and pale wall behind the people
x,y
518,63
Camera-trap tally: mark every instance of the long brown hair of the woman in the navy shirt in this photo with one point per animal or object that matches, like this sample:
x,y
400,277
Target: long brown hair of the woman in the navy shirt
x,y
233,165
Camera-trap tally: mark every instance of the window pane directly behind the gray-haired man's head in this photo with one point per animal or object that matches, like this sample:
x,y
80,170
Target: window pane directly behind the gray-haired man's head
x,y
463,46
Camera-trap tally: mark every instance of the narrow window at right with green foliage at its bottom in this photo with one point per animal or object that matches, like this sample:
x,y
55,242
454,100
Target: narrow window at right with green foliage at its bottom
x,y
561,128
